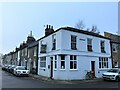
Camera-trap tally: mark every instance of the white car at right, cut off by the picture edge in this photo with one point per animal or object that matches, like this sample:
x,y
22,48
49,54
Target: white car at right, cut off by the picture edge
x,y
112,74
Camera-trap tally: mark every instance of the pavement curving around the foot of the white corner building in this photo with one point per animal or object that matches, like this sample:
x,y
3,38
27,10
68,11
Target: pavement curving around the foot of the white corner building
x,y
43,78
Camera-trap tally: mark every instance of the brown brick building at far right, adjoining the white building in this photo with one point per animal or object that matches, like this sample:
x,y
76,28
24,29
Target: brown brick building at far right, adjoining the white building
x,y
115,43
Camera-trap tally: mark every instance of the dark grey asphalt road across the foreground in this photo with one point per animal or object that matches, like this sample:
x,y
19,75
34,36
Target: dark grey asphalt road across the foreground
x,y
11,81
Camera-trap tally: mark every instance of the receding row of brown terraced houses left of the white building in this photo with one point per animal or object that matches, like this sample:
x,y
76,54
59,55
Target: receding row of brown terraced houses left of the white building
x,y
23,55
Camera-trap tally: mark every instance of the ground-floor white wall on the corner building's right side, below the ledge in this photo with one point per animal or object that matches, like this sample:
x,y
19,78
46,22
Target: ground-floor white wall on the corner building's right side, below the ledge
x,y
83,65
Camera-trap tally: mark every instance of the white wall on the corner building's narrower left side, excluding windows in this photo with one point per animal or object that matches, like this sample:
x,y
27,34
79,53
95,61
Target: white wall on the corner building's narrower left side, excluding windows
x,y
48,41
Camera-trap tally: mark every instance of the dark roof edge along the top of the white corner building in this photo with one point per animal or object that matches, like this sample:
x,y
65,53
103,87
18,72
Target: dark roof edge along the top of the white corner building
x,y
78,31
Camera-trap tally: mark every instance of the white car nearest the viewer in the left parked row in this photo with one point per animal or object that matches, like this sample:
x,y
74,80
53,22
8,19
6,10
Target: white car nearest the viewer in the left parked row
x,y
21,70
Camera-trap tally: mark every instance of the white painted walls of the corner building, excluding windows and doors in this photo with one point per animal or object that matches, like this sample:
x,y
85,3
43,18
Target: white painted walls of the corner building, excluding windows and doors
x,y
84,58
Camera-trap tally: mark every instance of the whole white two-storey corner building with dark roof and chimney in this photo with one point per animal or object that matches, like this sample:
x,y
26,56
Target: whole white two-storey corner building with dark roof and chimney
x,y
68,53
